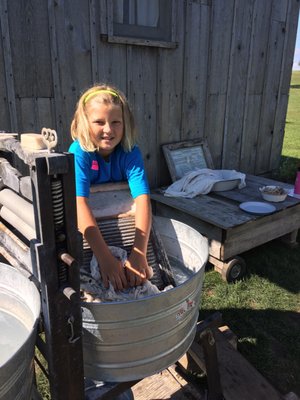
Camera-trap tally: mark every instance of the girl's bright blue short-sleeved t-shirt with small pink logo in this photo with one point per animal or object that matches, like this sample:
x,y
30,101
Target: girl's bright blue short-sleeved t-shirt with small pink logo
x,y
92,169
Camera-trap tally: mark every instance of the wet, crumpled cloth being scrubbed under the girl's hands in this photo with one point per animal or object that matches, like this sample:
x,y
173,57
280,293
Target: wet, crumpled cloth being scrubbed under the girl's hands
x,y
93,290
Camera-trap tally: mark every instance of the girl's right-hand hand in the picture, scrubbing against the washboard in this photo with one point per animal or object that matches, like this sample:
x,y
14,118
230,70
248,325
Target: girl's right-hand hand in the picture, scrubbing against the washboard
x,y
137,268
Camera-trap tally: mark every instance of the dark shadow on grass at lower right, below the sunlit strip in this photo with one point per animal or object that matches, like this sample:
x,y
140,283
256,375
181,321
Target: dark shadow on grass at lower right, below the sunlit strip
x,y
263,341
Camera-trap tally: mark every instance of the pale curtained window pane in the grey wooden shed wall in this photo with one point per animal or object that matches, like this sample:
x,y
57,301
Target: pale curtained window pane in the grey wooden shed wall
x,y
137,12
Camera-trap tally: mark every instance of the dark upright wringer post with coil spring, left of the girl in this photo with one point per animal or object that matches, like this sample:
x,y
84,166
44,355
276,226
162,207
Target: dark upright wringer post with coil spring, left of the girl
x,y
53,179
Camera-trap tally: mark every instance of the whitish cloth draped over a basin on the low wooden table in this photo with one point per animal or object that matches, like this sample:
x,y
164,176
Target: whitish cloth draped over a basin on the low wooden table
x,y
201,181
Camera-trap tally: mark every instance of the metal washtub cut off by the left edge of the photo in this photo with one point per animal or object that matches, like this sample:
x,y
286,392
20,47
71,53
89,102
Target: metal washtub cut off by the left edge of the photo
x,y
19,314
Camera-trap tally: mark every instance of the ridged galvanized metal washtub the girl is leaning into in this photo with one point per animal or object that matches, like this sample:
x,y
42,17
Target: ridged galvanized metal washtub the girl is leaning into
x,y
131,340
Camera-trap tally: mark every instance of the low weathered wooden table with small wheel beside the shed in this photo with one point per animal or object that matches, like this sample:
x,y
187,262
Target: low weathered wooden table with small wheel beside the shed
x,y
230,230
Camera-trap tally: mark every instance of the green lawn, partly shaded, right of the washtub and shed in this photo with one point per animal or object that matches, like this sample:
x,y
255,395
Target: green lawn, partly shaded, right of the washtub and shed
x,y
264,309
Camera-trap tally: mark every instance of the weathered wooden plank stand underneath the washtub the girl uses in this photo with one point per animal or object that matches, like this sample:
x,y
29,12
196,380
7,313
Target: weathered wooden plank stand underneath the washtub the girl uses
x,y
213,353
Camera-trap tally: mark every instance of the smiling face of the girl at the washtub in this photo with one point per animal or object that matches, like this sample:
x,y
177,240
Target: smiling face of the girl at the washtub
x,y
106,126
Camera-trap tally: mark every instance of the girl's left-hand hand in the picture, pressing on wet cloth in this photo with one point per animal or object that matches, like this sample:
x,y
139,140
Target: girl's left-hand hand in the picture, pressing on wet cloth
x,y
112,271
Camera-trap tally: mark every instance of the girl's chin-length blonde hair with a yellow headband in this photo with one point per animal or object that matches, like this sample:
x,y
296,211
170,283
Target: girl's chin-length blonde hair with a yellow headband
x,y
104,94
